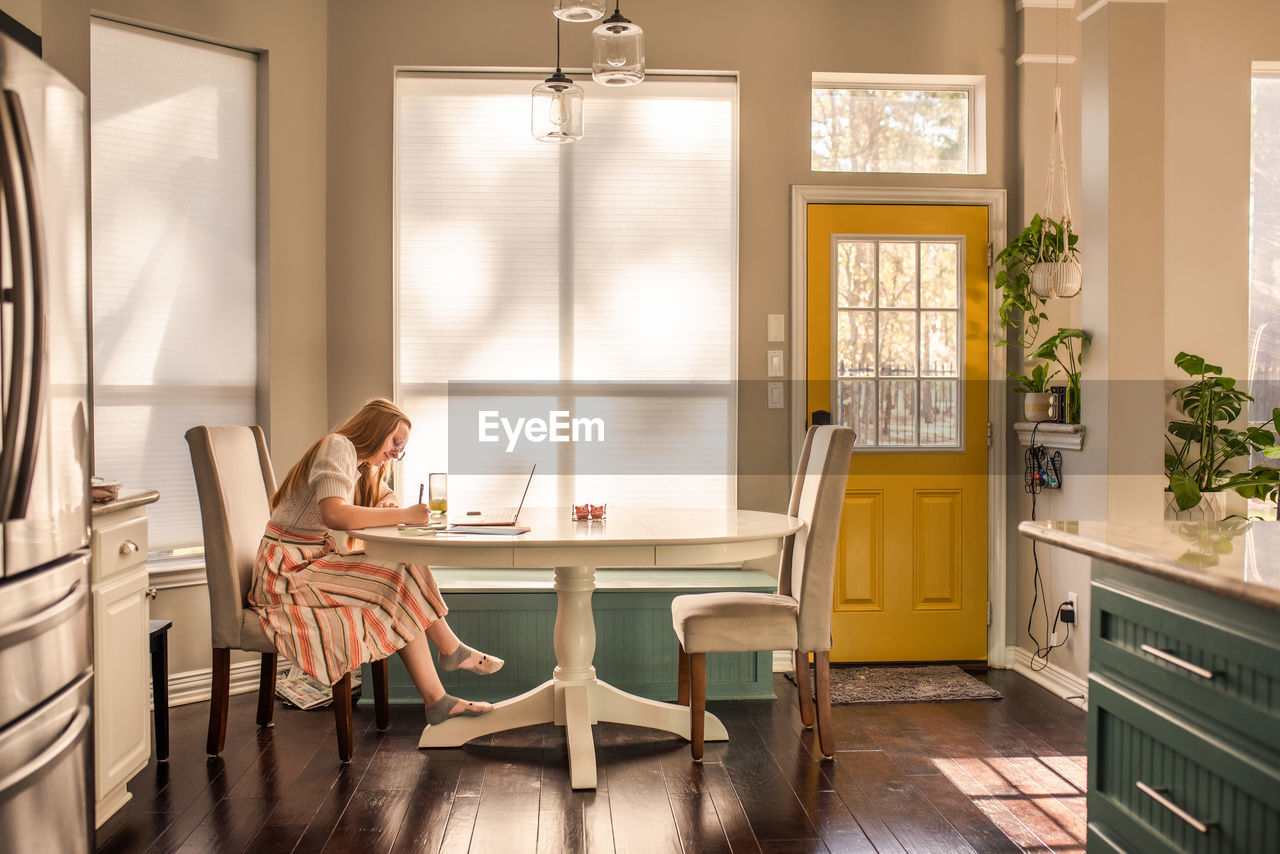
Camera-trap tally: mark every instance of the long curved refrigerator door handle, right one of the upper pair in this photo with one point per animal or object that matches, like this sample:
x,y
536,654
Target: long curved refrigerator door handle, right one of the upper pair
x,y
39,355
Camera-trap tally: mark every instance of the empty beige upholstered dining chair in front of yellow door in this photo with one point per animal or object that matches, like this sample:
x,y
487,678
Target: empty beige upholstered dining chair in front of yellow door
x,y
798,616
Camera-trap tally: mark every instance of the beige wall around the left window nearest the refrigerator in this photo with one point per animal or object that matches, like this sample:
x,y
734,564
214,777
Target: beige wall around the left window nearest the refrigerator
x,y
290,35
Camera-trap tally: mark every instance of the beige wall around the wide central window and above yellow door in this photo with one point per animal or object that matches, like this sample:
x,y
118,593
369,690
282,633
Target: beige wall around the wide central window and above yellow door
x,y
774,48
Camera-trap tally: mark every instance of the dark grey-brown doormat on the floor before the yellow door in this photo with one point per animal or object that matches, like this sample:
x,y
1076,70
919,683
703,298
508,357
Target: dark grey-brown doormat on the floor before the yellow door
x,y
924,684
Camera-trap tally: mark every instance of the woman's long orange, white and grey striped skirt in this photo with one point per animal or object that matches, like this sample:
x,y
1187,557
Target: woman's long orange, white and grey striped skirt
x,y
331,613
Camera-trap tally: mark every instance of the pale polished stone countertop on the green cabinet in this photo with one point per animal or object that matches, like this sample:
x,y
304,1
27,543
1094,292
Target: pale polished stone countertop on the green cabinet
x,y
1236,558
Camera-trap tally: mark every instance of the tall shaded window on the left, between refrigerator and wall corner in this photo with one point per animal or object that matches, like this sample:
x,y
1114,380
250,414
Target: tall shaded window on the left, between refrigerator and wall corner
x,y
175,259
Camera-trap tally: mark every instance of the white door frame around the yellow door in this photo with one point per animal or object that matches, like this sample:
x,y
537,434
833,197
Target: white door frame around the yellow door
x,y
994,200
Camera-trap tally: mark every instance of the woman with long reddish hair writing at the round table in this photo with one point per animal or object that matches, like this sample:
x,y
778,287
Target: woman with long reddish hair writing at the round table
x,y
328,609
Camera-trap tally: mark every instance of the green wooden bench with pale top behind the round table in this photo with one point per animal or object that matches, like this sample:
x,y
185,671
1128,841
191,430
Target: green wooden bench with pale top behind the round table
x,y
511,614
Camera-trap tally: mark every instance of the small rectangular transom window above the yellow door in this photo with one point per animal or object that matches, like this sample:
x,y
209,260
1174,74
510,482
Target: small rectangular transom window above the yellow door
x,y
911,124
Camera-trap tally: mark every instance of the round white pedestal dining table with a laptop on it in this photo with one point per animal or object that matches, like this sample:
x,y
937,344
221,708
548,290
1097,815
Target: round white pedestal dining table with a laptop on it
x,y
574,697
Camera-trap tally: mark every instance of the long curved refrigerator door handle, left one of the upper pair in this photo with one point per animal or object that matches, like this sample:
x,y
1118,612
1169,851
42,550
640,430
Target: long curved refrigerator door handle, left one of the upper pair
x,y
17,296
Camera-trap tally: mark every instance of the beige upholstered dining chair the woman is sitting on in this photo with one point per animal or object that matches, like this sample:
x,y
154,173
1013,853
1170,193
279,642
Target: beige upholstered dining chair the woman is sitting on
x,y
235,482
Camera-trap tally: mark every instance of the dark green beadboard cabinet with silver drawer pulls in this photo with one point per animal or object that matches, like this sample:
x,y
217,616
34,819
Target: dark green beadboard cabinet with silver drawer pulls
x,y
1185,719
